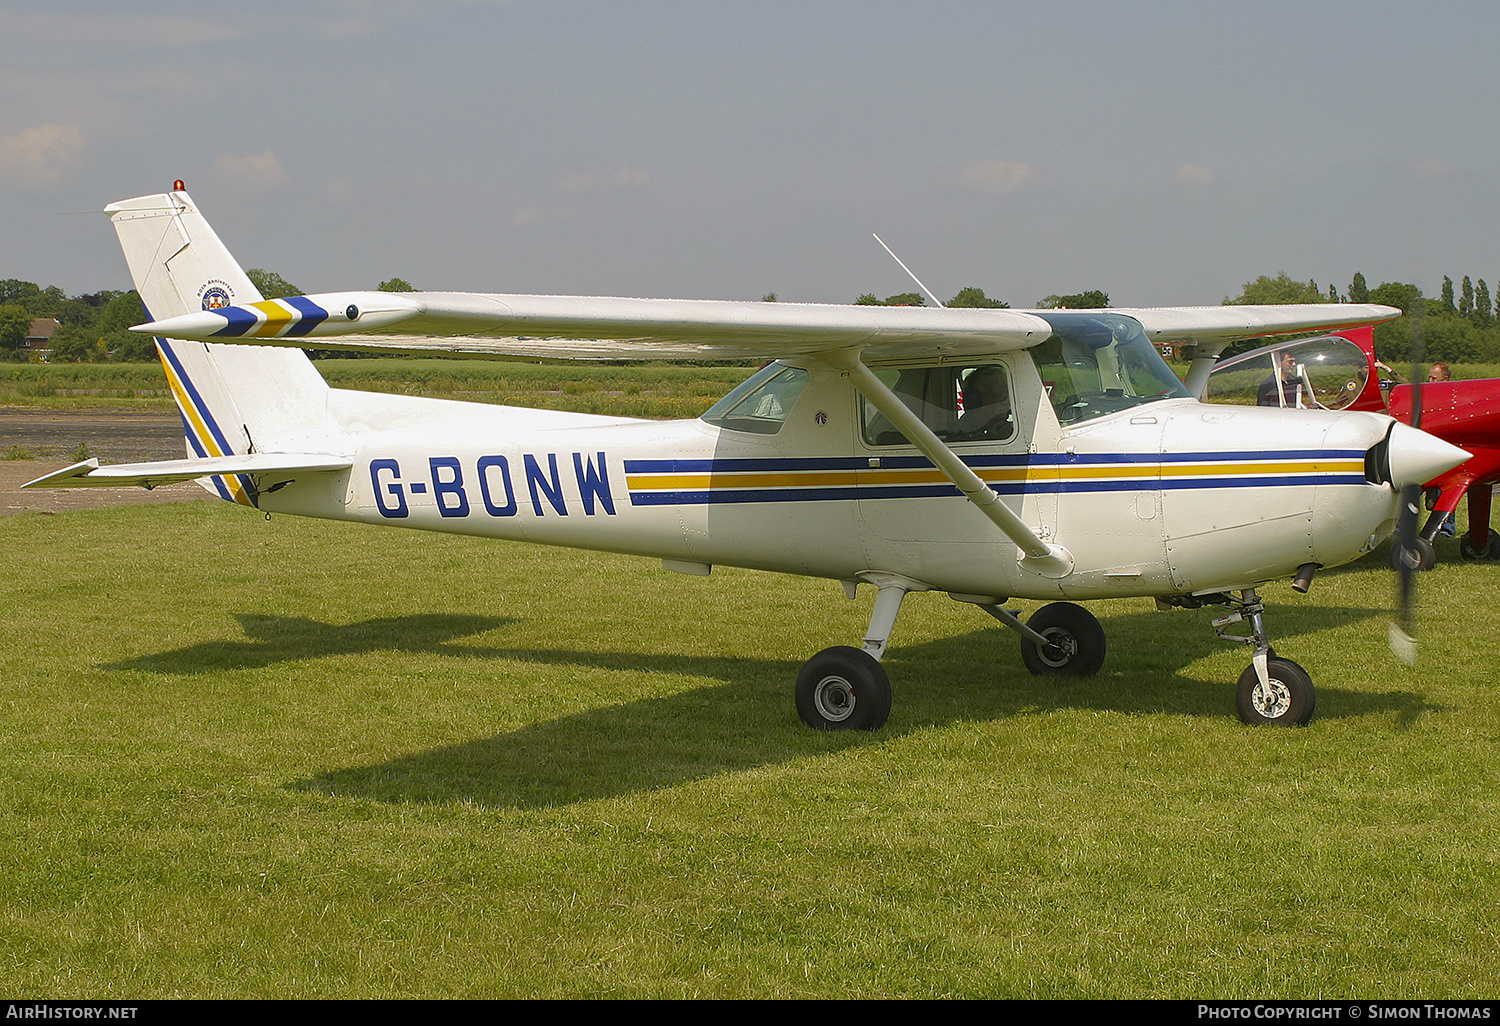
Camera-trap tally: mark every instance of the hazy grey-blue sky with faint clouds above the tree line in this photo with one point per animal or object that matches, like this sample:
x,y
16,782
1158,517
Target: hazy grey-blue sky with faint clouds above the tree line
x,y
721,149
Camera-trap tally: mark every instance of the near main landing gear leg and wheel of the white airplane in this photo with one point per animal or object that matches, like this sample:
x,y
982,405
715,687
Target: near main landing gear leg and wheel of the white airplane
x,y
847,689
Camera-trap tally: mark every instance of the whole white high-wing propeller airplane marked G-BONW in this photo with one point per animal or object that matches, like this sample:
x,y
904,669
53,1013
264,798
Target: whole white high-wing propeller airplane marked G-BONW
x,y
991,455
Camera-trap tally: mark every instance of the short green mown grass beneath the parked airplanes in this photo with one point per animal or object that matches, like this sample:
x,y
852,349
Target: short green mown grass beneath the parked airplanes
x,y
304,760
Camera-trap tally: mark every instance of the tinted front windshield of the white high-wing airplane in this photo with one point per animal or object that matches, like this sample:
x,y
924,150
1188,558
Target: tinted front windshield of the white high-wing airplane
x,y
1097,364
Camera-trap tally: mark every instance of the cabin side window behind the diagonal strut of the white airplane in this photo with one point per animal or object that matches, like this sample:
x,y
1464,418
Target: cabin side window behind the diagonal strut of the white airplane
x,y
958,403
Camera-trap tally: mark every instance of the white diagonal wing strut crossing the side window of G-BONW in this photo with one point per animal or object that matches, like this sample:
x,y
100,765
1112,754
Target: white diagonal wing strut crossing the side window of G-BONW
x,y
1040,557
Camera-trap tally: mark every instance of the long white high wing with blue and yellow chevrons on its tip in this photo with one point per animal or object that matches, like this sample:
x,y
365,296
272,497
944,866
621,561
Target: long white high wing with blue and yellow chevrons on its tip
x,y
601,328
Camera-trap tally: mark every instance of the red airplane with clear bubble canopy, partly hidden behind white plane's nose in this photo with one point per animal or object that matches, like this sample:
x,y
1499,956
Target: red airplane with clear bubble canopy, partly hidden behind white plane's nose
x,y
1340,373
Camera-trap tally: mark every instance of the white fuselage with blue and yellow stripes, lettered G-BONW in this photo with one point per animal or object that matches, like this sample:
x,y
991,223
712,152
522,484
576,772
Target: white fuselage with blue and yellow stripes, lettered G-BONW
x,y
1171,499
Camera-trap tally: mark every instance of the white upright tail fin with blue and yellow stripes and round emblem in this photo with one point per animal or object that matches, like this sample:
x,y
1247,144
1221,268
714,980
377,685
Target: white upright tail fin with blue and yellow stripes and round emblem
x,y
233,398
